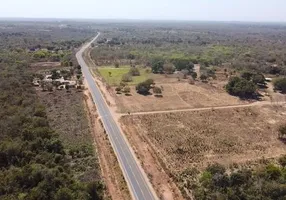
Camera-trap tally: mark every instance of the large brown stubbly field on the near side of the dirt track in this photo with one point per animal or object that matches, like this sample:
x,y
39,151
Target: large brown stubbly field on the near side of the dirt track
x,y
195,139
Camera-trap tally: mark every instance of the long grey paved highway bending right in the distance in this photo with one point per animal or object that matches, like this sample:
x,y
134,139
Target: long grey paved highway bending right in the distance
x,y
138,184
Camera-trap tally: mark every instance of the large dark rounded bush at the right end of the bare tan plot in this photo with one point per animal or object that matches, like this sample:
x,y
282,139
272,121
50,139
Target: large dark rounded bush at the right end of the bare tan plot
x,y
240,87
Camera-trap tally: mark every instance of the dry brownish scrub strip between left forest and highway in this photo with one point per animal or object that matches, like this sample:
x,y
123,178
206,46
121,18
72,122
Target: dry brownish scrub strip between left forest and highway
x,y
68,118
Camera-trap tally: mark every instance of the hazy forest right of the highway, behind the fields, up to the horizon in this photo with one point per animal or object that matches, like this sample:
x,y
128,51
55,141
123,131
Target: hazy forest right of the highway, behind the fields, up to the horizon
x,y
255,47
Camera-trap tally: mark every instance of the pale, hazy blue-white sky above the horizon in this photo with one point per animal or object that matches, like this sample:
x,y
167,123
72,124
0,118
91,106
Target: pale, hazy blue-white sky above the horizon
x,y
198,10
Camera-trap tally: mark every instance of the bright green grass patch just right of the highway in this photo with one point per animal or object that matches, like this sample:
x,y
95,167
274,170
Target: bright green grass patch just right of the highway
x,y
117,73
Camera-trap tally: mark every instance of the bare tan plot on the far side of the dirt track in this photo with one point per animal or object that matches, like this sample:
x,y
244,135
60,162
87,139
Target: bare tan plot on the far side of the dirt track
x,y
176,96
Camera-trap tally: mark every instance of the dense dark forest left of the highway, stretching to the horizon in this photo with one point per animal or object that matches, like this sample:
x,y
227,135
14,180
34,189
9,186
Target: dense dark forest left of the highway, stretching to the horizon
x,y
34,162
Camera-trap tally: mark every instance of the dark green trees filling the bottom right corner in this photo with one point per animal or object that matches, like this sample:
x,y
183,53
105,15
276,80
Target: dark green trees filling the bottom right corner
x,y
264,182
